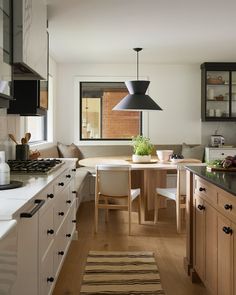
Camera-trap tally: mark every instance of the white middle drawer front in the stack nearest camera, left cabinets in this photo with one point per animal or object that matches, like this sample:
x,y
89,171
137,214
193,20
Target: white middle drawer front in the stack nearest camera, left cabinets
x,y
46,231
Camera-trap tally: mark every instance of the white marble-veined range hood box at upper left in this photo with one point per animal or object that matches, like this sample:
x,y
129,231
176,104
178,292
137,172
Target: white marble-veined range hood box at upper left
x,y
30,42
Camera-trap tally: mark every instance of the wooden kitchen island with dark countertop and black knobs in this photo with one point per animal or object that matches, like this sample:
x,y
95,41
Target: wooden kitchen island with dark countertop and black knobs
x,y
211,229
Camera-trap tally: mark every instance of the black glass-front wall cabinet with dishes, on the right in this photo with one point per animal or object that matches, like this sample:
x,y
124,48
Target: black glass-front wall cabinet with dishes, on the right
x,y
218,91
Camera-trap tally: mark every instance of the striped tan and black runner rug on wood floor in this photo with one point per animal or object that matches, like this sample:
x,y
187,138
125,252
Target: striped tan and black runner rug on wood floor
x,y
120,273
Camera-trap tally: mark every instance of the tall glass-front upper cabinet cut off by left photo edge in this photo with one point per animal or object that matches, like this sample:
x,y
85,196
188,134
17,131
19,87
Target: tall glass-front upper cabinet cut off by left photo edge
x,y
5,52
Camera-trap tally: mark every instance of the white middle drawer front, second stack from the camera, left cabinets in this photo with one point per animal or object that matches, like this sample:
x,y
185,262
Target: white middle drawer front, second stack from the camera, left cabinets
x,y
61,207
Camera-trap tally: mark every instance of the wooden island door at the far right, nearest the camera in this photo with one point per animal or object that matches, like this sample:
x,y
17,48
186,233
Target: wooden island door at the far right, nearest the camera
x,y
225,261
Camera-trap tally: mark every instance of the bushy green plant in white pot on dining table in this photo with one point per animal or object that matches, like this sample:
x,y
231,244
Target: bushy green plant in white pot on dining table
x,y
142,149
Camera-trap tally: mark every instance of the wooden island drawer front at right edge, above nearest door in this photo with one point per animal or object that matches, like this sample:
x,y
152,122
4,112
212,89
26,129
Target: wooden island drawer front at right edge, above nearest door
x,y
227,204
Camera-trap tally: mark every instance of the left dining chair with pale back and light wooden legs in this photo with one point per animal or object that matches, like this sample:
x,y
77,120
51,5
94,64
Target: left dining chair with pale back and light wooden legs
x,y
114,182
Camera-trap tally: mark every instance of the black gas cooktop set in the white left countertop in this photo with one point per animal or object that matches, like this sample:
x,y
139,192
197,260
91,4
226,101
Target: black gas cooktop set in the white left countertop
x,y
42,166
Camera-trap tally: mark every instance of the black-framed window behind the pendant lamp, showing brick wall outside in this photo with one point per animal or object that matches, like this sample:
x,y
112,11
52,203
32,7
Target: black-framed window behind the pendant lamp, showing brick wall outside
x,y
98,120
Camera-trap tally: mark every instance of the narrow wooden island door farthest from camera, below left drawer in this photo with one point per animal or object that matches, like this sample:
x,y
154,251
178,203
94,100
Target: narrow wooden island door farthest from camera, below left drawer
x,y
199,228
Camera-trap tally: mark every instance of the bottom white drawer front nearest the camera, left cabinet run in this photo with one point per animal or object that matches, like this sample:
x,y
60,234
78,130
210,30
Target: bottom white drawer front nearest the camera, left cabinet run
x,y
47,275
